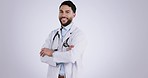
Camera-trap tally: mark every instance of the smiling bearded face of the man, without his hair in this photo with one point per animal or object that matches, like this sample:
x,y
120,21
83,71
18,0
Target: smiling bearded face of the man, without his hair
x,y
66,15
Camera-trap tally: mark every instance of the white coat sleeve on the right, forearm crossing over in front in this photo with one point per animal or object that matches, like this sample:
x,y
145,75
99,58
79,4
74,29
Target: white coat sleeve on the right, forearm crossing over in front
x,y
73,55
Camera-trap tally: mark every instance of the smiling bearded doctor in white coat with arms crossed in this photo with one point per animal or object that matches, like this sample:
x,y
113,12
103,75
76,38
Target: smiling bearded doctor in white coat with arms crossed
x,y
64,47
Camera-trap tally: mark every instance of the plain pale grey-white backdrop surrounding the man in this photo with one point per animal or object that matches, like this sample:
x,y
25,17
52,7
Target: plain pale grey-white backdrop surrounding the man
x,y
116,30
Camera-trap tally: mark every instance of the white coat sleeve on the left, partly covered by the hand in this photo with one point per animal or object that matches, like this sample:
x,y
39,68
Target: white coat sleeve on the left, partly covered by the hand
x,y
46,59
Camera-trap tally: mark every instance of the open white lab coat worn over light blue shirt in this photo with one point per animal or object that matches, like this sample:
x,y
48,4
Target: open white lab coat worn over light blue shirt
x,y
72,59
